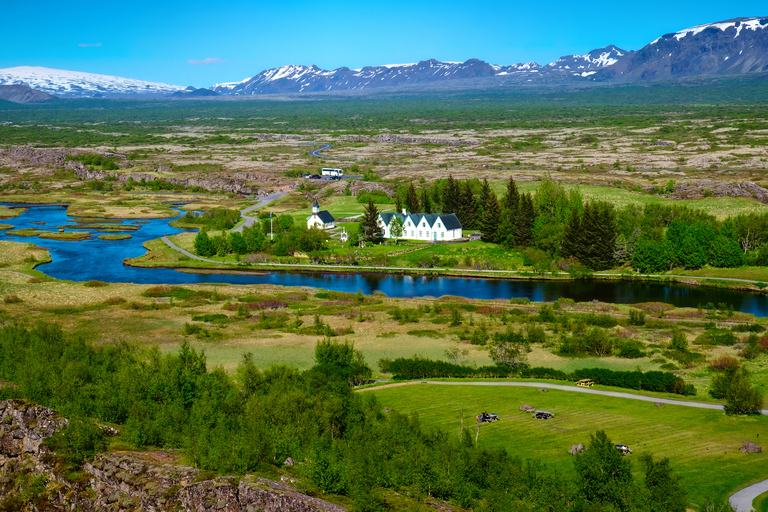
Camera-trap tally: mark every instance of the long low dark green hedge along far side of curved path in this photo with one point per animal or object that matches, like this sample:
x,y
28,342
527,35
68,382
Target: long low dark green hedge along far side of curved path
x,y
422,368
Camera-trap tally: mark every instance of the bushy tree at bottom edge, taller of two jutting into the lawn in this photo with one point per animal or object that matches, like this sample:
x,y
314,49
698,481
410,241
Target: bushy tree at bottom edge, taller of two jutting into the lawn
x,y
604,476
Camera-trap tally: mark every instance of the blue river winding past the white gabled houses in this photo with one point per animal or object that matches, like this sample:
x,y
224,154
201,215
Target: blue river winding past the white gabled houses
x,y
103,260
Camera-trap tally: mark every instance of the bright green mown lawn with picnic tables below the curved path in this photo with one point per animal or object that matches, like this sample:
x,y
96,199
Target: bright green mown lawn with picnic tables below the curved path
x,y
703,445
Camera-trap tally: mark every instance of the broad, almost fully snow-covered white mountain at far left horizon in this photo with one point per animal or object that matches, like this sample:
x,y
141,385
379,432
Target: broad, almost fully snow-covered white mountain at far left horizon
x,y
74,84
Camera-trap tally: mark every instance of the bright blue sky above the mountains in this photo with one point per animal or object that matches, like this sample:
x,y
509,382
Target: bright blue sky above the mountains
x,y
202,42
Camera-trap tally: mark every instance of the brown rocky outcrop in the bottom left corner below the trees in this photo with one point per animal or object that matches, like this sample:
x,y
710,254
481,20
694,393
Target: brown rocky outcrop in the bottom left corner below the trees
x,y
128,481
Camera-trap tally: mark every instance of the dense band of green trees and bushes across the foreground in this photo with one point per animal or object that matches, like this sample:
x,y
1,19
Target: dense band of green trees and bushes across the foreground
x,y
347,443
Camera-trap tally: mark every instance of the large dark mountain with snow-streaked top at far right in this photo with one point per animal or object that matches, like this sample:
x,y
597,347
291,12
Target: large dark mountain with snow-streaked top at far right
x,y
724,48
